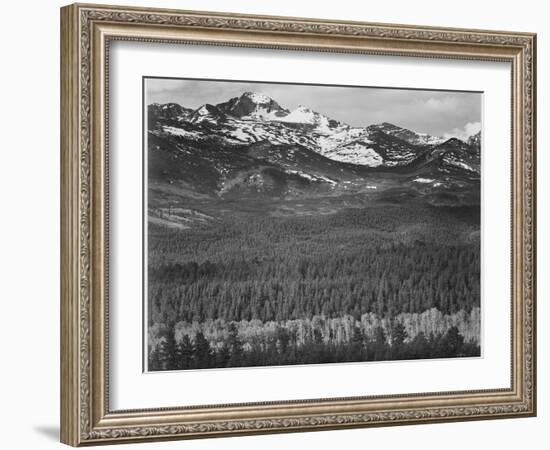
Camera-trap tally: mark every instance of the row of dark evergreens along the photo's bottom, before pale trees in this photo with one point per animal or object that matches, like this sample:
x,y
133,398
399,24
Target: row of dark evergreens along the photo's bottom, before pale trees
x,y
197,352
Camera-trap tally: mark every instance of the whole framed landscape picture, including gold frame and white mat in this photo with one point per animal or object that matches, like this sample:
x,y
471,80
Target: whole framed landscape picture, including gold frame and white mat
x,y
275,224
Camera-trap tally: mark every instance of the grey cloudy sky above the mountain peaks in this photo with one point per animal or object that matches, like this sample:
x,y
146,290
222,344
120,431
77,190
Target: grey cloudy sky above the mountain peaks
x,y
439,113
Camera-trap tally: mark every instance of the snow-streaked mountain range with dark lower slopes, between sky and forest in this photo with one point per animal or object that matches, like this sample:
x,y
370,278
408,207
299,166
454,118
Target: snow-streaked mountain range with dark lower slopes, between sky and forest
x,y
253,143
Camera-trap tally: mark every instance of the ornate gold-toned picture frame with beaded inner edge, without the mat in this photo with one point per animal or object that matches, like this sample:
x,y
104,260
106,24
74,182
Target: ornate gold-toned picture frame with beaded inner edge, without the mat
x,y
86,31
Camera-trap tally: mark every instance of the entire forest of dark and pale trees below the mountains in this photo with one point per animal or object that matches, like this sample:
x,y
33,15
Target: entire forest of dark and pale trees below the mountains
x,y
371,283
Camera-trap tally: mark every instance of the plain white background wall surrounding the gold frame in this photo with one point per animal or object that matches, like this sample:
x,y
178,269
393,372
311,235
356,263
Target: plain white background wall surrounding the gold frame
x,y
29,230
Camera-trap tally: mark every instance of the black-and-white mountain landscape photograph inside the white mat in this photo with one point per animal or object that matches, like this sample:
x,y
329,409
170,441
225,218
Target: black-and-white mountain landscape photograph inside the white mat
x,y
294,224
